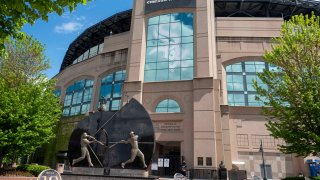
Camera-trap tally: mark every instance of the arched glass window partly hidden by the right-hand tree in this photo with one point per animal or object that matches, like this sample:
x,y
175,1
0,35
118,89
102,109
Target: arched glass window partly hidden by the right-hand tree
x,y
240,78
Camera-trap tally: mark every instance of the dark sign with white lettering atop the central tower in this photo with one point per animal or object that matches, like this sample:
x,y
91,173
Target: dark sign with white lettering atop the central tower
x,y
155,5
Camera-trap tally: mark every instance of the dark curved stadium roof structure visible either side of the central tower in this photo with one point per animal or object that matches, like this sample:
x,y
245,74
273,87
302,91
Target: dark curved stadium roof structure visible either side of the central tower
x,y
121,22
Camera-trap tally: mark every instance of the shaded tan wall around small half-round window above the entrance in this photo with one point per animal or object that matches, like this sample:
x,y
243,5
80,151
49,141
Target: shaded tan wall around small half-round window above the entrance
x,y
178,126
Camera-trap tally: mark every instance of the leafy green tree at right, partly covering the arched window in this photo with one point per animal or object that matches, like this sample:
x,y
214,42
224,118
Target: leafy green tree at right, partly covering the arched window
x,y
294,88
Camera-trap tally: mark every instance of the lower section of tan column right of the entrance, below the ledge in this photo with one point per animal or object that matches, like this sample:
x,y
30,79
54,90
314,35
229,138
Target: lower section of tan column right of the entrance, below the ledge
x,y
203,125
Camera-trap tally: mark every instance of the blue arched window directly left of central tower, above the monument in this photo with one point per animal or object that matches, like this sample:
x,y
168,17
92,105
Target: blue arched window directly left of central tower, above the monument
x,y
111,89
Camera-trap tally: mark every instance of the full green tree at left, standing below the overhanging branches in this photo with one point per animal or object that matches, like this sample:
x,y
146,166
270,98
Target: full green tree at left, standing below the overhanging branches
x,y
28,108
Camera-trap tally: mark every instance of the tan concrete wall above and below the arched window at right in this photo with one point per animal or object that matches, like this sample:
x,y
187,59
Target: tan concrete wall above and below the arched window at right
x,y
247,39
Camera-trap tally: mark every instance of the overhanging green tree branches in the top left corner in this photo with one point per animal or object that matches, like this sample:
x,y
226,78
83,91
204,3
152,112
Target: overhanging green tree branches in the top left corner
x,y
16,13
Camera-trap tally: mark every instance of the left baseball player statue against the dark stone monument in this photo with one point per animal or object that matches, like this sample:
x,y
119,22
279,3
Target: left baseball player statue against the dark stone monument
x,y
84,142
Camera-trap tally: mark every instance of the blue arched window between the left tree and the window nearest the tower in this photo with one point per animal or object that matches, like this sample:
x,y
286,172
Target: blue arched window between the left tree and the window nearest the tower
x,y
78,98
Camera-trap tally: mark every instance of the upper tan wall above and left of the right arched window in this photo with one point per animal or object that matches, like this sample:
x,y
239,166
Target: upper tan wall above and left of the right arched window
x,y
242,39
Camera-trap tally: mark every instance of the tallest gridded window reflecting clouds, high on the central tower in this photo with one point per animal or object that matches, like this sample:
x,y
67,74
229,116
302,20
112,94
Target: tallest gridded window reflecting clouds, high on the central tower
x,y
169,54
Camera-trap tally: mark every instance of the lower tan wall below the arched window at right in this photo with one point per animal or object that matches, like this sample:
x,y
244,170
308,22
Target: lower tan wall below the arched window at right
x,y
247,128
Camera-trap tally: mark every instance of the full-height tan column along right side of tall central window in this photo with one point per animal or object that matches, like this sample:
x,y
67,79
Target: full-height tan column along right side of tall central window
x,y
206,92
